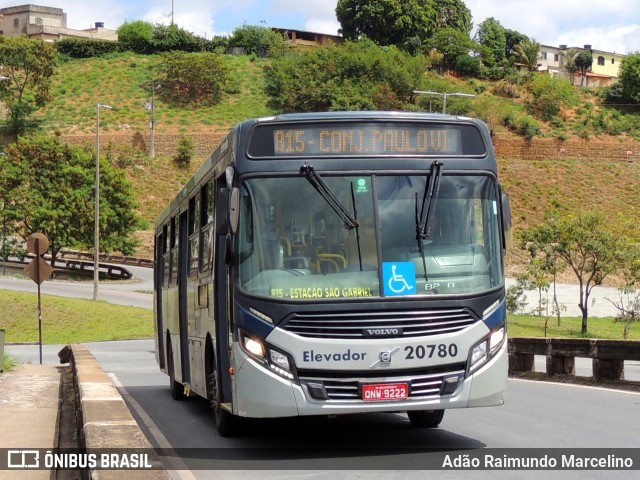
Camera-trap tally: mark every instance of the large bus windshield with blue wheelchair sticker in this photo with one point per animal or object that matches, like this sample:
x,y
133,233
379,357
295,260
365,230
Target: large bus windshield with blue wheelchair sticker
x,y
292,246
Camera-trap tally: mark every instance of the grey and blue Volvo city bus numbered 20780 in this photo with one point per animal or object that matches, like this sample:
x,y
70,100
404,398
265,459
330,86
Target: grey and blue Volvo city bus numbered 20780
x,y
337,263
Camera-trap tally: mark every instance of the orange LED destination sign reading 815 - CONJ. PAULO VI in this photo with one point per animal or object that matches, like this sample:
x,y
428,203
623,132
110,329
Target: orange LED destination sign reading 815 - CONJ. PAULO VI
x,y
365,139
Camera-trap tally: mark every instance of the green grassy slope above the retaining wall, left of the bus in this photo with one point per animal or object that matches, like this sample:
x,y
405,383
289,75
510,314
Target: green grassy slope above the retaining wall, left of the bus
x,y
123,81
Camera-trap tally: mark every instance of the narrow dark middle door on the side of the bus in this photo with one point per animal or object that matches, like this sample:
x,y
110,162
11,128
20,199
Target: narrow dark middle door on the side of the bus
x,y
183,258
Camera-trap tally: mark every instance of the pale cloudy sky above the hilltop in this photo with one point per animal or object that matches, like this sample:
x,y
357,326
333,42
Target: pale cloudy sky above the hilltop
x,y
609,25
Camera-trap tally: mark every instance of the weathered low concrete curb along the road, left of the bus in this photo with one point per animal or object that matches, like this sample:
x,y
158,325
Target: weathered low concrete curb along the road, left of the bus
x,y
103,419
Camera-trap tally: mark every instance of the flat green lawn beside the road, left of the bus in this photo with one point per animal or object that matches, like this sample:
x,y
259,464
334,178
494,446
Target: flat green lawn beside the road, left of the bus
x,y
69,320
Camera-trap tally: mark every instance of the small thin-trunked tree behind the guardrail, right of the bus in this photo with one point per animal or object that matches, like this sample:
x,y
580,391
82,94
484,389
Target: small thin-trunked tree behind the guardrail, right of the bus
x,y
589,243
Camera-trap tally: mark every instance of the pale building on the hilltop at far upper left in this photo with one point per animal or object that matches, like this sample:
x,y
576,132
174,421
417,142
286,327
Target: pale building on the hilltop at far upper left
x,y
46,23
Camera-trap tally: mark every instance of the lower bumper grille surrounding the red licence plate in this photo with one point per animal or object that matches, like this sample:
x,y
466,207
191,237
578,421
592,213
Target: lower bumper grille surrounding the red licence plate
x,y
345,386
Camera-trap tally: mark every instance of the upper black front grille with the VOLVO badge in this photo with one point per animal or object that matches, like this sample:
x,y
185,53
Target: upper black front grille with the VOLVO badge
x,y
368,325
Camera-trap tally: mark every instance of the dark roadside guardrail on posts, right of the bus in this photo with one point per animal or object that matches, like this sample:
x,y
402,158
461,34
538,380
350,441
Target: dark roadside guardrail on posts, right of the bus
x,y
607,356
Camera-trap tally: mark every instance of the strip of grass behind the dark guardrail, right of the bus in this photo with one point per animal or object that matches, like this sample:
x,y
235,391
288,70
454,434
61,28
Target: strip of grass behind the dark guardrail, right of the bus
x,y
599,327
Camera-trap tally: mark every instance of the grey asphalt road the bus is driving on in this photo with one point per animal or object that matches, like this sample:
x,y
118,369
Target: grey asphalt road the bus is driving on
x,y
556,418
